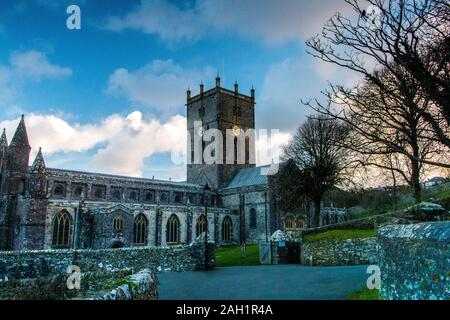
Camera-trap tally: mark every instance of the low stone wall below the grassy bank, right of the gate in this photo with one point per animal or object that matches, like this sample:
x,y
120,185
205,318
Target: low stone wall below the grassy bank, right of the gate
x,y
339,252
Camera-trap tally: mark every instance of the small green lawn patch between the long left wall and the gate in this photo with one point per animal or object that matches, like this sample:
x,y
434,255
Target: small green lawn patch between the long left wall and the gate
x,y
231,256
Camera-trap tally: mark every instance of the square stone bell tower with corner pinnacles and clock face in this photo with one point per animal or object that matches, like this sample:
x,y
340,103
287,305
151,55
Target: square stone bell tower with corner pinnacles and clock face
x,y
229,113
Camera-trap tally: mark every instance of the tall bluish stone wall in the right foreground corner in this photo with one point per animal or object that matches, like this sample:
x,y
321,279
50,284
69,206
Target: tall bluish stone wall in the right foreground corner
x,y
415,261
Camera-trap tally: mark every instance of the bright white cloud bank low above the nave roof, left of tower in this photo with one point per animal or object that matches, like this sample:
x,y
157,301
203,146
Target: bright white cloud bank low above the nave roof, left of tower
x,y
123,142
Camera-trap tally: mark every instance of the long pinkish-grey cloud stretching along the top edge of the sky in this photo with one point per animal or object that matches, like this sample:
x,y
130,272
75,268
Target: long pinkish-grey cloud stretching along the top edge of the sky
x,y
274,21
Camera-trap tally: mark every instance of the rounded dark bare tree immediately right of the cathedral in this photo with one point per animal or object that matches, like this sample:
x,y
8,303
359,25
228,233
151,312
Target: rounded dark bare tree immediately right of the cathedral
x,y
321,161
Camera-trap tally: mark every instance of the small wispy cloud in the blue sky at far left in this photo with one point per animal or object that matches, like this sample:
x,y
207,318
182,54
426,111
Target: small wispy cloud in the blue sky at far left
x,y
34,65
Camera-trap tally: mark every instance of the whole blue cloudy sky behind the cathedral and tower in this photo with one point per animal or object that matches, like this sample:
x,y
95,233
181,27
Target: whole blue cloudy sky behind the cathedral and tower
x,y
110,97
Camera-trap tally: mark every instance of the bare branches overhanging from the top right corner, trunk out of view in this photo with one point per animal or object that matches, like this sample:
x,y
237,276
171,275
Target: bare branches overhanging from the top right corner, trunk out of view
x,y
411,34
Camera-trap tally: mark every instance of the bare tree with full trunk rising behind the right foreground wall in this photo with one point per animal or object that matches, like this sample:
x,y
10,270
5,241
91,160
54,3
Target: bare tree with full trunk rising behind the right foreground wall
x,y
387,123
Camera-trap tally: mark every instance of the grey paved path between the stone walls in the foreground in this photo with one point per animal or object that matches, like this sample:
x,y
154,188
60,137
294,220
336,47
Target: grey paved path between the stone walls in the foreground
x,y
278,282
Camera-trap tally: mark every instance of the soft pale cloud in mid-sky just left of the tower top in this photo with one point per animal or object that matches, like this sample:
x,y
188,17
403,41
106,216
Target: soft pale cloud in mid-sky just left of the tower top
x,y
161,84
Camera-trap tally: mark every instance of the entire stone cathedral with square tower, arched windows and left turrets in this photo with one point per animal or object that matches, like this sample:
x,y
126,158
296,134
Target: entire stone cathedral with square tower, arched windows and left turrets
x,y
47,208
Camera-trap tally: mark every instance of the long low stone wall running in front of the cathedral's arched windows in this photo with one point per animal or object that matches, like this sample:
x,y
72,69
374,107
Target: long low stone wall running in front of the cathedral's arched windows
x,y
36,264
